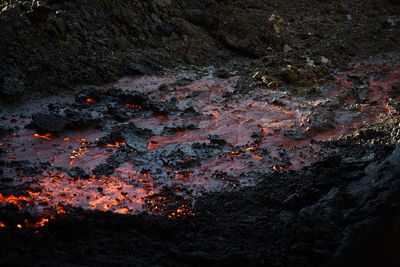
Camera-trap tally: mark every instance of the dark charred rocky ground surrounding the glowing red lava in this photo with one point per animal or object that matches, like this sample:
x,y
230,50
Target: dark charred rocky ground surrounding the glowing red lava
x,y
318,215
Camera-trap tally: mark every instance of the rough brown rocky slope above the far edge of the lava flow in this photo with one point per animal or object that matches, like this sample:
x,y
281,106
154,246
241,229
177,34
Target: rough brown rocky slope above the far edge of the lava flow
x,y
47,45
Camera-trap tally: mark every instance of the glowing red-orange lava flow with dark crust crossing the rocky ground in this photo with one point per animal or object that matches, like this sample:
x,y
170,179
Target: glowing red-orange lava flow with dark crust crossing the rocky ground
x,y
263,130
